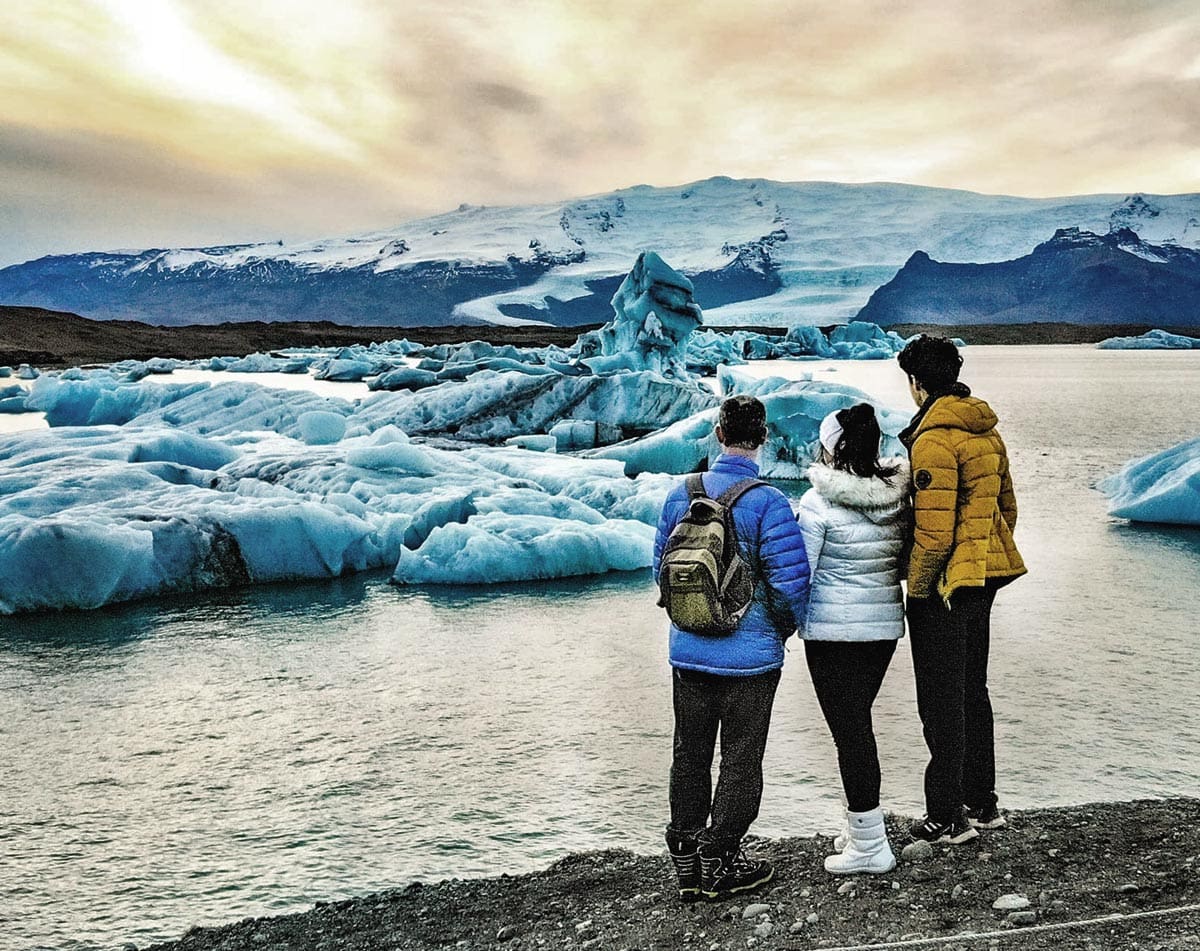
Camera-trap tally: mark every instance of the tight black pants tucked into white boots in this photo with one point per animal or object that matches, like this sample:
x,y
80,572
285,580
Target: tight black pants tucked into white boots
x,y
848,677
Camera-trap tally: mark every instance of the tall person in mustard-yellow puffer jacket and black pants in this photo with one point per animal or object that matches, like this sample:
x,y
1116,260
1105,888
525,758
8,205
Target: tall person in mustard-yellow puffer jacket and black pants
x,y
963,552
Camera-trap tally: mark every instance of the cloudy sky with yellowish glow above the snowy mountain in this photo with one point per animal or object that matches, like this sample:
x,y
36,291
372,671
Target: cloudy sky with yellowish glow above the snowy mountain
x,y
191,123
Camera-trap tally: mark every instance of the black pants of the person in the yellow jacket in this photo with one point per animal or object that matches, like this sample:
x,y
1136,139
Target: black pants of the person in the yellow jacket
x,y
950,660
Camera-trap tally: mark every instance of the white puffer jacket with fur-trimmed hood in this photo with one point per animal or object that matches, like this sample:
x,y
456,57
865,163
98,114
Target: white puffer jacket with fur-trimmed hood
x,y
856,531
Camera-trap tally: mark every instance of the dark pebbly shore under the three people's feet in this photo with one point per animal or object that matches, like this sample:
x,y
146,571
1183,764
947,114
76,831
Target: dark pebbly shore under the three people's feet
x,y
1073,864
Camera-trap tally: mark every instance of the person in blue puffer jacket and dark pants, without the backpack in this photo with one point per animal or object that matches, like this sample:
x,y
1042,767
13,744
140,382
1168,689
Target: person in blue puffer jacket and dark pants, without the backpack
x,y
727,685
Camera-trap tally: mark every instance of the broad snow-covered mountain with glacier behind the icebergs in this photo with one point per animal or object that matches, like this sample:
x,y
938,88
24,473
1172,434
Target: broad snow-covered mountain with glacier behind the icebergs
x,y
766,253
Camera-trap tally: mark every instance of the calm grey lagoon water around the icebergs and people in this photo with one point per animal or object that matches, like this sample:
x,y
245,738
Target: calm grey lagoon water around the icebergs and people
x,y
253,752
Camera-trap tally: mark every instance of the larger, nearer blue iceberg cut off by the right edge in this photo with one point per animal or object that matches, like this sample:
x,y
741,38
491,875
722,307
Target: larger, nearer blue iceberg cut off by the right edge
x,y
1161,488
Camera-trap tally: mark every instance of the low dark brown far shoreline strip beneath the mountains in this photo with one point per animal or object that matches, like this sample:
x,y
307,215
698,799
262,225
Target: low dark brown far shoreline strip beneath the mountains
x,y
46,338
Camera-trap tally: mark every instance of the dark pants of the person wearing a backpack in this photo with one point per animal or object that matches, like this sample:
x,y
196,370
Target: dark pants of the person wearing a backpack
x,y
739,709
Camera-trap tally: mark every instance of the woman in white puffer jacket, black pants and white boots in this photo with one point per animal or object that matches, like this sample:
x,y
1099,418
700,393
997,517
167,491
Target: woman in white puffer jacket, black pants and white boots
x,y
856,525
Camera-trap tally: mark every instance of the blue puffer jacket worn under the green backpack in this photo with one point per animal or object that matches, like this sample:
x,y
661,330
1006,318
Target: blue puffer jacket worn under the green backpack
x,y
773,543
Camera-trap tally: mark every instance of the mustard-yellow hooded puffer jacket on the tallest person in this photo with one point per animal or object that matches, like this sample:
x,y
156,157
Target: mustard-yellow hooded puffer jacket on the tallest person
x,y
964,505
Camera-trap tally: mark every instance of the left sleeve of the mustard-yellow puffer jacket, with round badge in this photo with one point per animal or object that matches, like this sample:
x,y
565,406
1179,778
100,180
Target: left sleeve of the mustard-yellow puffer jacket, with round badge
x,y
935,477
